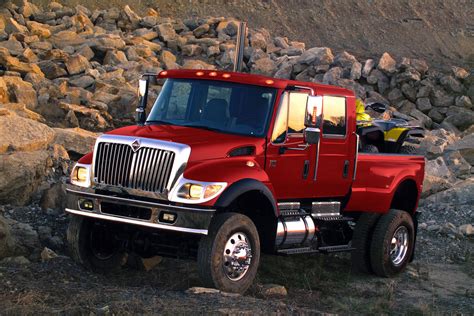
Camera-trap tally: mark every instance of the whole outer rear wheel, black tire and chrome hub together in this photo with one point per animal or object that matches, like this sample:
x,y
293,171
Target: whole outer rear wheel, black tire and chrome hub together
x,y
392,243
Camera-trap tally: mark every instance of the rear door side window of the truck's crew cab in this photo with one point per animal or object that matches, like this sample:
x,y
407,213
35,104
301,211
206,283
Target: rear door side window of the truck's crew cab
x,y
334,114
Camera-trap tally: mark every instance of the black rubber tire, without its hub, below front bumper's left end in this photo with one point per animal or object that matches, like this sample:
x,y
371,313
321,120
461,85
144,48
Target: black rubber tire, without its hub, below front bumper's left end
x,y
79,242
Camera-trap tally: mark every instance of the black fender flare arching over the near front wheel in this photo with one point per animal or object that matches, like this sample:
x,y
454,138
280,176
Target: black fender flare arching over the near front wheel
x,y
260,210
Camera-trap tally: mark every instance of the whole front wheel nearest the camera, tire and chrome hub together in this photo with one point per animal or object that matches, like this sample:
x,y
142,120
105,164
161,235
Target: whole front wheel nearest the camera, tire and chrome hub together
x,y
229,255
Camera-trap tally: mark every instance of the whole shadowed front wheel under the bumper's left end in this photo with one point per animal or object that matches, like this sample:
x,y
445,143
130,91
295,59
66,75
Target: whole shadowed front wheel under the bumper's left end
x,y
92,245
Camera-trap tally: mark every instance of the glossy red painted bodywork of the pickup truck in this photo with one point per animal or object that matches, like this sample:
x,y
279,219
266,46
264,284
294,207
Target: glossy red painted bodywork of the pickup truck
x,y
378,176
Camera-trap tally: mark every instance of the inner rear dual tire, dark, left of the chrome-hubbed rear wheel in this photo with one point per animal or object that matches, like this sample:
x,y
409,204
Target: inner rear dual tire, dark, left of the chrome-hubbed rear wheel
x,y
361,240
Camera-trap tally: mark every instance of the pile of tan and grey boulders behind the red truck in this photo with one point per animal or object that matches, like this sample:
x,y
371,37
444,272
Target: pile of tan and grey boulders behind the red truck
x,y
68,73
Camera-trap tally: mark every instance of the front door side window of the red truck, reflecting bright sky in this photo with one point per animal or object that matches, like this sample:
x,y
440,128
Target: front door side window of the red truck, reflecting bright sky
x,y
290,120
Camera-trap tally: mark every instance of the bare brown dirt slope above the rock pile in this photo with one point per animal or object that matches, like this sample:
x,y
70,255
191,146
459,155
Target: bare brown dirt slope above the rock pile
x,y
442,32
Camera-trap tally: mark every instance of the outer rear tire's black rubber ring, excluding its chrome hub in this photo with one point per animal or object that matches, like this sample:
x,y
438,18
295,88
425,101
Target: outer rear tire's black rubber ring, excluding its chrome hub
x,y
381,262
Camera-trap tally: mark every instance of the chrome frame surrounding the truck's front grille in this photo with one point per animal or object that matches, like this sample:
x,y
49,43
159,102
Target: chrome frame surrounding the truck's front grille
x,y
181,151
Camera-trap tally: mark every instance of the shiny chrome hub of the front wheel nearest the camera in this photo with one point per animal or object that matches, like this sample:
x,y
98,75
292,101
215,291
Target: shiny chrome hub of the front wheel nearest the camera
x,y
237,256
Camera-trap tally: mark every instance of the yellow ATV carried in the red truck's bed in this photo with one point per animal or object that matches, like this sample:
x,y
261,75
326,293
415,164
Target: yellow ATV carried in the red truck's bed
x,y
387,135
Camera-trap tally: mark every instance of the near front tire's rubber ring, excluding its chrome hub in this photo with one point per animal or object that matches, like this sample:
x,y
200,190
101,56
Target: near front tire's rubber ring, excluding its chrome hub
x,y
211,248
